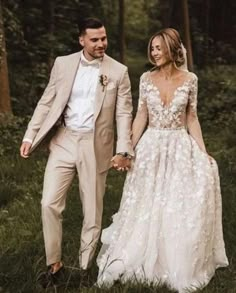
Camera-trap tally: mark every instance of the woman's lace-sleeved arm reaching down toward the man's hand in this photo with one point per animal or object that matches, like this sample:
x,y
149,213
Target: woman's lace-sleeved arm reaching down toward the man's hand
x,y
140,120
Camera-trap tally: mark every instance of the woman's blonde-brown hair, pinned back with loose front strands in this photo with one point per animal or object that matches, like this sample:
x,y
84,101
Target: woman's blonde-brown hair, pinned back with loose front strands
x,y
173,45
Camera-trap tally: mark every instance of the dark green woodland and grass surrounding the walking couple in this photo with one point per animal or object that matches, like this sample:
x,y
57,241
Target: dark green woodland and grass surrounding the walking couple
x,y
32,34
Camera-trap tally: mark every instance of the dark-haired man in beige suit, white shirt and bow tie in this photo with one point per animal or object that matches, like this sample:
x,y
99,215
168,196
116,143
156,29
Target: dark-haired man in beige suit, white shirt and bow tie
x,y
90,91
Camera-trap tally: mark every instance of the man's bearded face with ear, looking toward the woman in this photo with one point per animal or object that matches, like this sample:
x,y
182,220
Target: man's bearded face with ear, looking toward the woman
x,y
94,42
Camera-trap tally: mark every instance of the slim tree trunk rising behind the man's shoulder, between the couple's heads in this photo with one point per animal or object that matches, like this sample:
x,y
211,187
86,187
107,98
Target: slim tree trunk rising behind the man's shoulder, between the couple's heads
x,y
121,26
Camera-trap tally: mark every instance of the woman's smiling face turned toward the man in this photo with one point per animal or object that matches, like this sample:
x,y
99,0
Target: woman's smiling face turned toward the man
x,y
159,52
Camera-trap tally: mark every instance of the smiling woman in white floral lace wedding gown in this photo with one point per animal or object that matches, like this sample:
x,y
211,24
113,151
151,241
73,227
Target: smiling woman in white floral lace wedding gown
x,y
169,226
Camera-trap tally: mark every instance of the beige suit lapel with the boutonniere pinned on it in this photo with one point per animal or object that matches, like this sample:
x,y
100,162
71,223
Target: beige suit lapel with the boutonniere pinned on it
x,y
101,90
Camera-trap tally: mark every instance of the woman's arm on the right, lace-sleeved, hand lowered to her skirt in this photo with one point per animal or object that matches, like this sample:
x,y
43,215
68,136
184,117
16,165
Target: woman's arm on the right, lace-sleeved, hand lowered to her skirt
x,y
193,124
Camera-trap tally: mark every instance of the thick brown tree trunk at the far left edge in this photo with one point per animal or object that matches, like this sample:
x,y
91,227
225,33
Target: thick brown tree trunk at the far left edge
x,y
5,100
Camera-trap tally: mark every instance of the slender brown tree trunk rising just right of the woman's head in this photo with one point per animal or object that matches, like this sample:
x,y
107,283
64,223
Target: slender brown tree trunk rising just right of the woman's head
x,y
187,39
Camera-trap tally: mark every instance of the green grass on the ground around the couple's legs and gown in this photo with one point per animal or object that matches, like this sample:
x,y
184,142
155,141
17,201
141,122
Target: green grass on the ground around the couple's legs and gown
x,y
21,239
